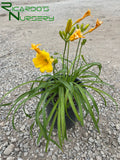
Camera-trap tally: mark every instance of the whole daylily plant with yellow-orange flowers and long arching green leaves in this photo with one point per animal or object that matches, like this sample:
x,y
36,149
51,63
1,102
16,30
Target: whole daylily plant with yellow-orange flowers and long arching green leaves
x,y
65,93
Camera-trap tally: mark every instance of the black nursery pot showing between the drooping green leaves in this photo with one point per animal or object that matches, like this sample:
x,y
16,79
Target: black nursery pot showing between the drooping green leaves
x,y
70,122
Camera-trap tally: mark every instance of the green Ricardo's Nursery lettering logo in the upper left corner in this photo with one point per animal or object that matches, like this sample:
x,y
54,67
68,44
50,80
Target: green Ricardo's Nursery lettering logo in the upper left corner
x,y
12,9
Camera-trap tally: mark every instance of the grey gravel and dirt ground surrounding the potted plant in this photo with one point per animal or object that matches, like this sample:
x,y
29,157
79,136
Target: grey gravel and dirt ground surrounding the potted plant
x,y
84,143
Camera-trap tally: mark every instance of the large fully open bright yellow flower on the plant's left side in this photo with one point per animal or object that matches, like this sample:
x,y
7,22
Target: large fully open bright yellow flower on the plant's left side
x,y
43,61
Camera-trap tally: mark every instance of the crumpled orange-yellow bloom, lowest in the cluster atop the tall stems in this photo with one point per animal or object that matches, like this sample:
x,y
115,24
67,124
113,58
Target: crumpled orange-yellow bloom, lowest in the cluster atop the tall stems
x,y
76,35
